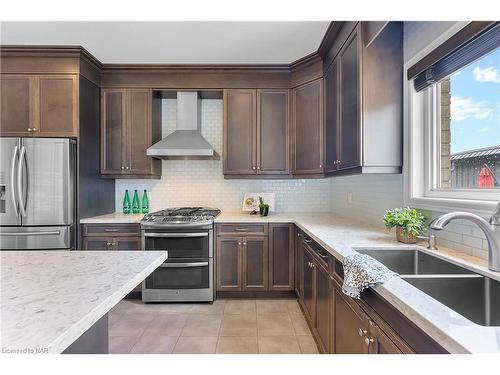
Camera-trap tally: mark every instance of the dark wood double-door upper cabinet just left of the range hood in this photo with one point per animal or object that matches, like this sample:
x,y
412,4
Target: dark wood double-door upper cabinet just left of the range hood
x,y
127,130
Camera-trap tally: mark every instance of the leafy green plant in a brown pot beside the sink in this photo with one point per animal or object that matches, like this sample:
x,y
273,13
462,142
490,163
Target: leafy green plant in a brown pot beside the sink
x,y
409,223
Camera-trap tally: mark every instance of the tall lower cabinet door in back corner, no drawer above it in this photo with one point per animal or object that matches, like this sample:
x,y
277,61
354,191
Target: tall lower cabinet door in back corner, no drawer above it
x,y
281,257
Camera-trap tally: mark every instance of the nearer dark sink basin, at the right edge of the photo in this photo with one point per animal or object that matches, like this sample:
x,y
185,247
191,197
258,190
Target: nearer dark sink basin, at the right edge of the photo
x,y
476,297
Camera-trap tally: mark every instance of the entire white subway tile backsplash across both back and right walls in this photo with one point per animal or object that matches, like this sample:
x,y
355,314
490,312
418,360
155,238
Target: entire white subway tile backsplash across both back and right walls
x,y
201,183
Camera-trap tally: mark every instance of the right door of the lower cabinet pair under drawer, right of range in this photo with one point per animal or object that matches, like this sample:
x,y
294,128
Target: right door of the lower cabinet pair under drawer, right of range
x,y
255,261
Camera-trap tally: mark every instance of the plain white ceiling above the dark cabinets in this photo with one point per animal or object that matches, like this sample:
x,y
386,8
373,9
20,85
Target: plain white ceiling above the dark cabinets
x,y
175,42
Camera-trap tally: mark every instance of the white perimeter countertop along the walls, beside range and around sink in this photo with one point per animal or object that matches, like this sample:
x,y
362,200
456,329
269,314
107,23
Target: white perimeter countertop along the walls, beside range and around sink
x,y
342,236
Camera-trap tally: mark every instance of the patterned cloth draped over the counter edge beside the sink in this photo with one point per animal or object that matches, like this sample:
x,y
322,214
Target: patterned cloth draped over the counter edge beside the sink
x,y
362,271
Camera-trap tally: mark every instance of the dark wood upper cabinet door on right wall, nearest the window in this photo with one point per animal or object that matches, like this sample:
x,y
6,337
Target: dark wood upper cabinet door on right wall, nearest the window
x,y
349,108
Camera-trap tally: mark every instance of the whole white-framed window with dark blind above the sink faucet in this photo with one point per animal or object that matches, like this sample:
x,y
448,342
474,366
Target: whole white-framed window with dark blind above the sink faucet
x,y
452,138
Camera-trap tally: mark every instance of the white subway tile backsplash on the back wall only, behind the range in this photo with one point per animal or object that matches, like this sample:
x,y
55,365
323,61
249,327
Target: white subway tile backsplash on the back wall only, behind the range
x,y
201,182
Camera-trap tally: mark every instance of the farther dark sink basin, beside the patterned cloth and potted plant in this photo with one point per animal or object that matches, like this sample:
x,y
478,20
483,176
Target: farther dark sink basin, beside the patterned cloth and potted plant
x,y
414,262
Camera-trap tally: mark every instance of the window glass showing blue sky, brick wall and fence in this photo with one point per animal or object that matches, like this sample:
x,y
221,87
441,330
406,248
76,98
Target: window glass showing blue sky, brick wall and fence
x,y
470,125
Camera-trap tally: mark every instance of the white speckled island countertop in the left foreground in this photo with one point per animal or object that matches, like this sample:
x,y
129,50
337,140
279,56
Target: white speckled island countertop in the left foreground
x,y
50,298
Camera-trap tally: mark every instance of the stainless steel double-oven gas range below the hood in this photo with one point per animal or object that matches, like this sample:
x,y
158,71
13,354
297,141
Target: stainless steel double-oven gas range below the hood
x,y
187,233
